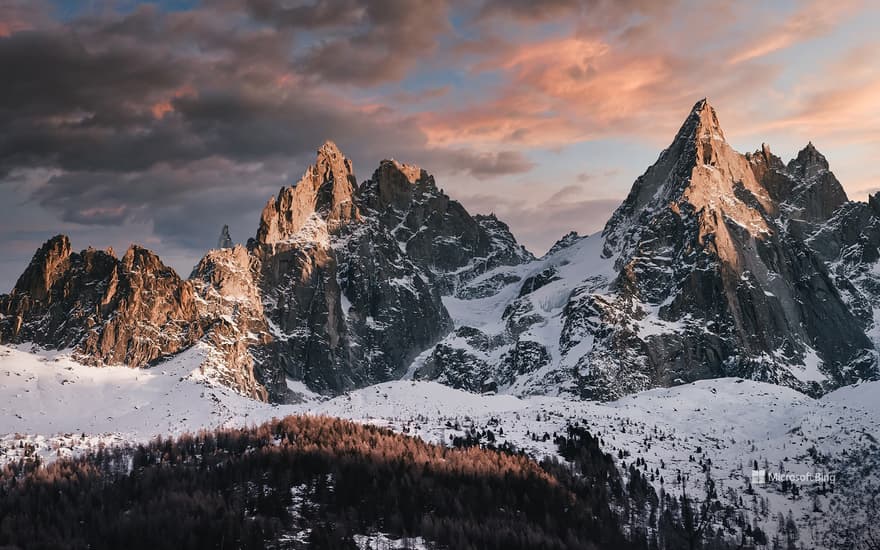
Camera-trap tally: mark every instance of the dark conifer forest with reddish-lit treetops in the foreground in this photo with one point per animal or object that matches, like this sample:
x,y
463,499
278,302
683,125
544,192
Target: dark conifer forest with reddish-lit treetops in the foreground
x,y
316,482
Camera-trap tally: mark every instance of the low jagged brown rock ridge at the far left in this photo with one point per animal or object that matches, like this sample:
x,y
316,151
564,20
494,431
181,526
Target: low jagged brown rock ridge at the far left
x,y
129,311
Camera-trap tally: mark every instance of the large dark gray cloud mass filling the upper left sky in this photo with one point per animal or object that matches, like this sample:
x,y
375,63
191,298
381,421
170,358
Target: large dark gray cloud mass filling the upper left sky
x,y
184,121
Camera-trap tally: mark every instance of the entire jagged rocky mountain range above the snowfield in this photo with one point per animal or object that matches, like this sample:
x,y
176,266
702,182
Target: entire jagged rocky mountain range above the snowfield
x,y
717,264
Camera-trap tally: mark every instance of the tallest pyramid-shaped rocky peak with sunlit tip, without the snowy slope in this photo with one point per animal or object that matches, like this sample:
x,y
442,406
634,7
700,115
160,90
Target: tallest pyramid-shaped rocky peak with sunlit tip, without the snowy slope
x,y
712,235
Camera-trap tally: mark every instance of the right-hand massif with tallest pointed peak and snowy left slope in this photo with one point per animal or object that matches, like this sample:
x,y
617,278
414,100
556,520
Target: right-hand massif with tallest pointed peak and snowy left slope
x,y
716,264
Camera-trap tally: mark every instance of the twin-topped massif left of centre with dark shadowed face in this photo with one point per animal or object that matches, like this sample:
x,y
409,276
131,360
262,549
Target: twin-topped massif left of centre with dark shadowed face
x,y
351,278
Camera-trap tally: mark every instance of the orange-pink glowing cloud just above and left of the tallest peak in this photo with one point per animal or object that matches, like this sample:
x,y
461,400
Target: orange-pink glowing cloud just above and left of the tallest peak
x,y
564,90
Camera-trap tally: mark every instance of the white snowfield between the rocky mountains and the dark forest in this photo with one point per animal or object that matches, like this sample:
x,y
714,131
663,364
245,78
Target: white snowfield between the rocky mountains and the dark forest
x,y
60,407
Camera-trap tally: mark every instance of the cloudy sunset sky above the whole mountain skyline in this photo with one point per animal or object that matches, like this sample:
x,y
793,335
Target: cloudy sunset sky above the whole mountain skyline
x,y
157,123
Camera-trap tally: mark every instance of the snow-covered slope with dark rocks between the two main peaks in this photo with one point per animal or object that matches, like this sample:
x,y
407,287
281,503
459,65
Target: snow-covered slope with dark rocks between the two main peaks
x,y
513,334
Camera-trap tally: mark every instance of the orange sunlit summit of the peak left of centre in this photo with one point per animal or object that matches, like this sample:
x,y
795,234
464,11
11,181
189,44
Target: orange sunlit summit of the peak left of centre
x,y
326,190
